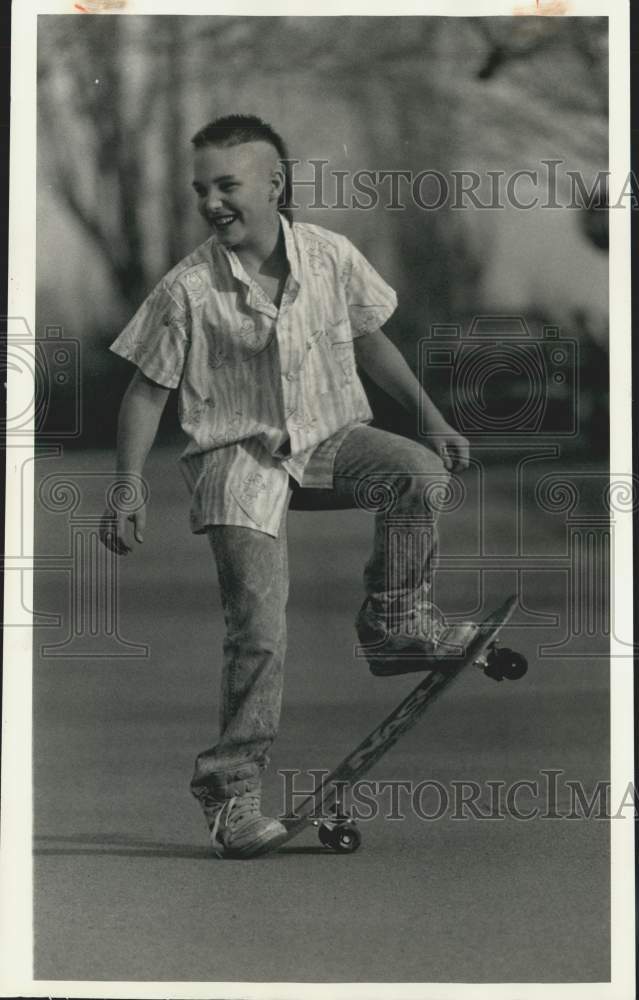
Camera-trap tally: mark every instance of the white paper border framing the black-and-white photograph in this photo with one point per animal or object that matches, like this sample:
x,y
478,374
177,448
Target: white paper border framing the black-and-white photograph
x,y
16,940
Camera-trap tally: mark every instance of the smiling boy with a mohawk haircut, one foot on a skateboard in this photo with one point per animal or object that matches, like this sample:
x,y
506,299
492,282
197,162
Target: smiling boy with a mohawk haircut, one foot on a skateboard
x,y
261,329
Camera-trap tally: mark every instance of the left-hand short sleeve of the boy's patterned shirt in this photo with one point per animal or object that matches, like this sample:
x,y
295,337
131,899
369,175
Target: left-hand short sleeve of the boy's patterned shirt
x,y
156,338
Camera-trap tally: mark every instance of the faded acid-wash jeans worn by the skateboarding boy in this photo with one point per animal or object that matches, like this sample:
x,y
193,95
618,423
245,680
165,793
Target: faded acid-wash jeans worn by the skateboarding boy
x,y
394,478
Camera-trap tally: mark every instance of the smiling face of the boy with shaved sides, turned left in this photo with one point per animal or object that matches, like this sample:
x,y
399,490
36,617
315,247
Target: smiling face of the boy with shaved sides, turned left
x,y
238,188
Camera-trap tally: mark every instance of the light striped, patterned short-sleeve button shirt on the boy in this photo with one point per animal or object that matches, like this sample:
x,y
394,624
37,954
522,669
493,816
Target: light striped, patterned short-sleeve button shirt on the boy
x,y
259,388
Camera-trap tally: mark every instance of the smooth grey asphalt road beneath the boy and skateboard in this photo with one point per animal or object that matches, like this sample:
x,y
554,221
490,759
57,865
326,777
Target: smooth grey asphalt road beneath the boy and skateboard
x,y
125,886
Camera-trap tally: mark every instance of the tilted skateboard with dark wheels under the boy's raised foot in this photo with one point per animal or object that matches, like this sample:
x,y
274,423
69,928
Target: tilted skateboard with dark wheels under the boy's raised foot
x,y
336,830
